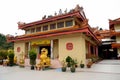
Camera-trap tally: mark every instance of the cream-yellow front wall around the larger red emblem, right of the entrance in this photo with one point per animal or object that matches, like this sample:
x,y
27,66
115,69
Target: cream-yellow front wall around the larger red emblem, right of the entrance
x,y
78,51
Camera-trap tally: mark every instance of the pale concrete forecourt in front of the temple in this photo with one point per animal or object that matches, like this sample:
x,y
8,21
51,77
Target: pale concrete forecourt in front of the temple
x,y
104,70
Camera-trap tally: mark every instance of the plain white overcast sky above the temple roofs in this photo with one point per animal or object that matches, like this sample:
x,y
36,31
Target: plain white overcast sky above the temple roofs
x,y
98,12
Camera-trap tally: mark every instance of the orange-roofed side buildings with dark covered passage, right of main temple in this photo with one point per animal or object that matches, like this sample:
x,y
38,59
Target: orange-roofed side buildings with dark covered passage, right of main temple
x,y
110,40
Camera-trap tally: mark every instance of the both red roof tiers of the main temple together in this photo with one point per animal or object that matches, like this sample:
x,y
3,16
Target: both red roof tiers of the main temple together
x,y
77,12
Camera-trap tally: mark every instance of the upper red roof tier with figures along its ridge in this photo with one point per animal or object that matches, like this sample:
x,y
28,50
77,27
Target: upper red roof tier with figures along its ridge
x,y
76,12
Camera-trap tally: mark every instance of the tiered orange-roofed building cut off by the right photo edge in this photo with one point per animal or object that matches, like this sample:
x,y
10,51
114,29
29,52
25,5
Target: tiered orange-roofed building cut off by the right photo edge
x,y
114,26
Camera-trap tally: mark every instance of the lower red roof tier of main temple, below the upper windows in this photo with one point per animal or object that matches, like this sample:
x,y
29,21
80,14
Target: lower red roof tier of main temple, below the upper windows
x,y
86,30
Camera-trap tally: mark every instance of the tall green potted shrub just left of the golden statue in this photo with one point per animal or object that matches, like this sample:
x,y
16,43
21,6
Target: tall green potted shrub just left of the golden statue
x,y
32,56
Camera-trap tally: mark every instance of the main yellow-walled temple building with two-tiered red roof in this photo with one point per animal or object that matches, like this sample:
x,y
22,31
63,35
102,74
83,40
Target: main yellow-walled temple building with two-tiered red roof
x,y
64,34
